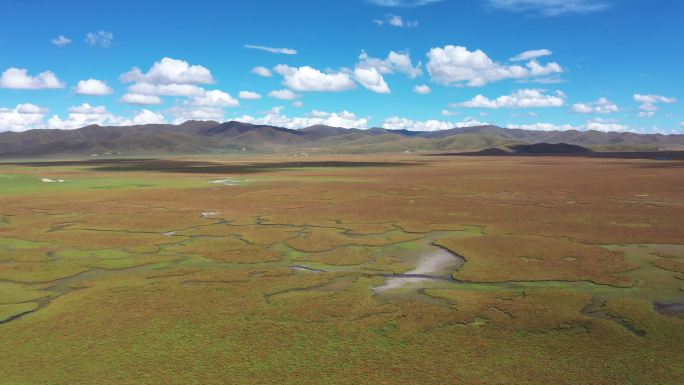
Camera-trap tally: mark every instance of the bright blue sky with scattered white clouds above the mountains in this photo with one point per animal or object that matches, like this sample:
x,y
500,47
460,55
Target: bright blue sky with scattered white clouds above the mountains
x,y
421,65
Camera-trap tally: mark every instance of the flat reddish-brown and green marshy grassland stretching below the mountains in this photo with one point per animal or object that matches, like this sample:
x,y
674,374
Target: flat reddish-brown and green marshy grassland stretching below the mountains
x,y
275,270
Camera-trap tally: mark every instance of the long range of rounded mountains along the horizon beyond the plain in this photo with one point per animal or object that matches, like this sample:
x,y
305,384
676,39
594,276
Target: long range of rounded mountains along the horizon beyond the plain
x,y
208,137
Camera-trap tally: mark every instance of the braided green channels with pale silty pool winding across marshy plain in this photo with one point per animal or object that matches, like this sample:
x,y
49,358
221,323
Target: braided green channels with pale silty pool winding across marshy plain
x,y
408,268
